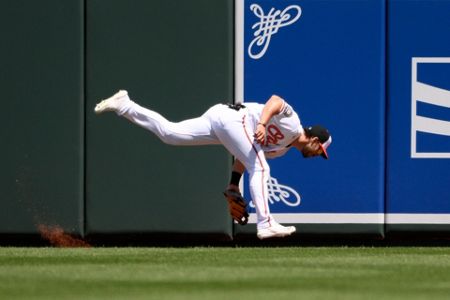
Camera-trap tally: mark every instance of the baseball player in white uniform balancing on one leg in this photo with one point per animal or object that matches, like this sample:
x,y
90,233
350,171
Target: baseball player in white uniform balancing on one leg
x,y
252,132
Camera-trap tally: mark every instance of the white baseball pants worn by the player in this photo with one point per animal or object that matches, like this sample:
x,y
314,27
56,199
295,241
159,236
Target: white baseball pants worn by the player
x,y
218,125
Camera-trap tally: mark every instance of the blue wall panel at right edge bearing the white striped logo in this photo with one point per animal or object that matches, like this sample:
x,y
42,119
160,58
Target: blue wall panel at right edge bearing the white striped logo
x,y
419,112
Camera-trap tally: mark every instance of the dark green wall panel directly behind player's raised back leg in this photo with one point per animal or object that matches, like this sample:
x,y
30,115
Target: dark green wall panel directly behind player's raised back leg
x,y
175,57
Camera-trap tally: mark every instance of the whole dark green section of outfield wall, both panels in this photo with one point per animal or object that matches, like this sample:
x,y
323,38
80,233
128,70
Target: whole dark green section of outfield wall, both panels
x,y
63,165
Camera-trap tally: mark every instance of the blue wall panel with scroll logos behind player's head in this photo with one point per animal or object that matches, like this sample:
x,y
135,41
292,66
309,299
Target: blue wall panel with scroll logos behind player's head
x,y
329,65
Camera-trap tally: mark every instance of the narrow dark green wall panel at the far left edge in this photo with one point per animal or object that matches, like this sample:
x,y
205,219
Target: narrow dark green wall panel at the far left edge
x,y
41,79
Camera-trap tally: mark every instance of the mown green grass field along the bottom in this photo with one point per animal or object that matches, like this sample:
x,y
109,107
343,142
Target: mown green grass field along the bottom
x,y
225,273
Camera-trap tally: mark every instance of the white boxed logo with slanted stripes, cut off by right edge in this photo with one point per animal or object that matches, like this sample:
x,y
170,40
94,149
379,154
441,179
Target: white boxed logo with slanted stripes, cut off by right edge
x,y
429,94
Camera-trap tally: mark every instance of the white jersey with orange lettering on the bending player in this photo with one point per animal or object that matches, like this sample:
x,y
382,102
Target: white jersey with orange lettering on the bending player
x,y
281,130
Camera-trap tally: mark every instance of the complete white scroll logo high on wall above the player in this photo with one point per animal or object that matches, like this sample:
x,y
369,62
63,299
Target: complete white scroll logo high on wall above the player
x,y
268,25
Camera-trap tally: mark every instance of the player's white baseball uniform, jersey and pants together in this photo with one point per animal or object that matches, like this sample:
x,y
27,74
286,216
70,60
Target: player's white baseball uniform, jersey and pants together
x,y
234,130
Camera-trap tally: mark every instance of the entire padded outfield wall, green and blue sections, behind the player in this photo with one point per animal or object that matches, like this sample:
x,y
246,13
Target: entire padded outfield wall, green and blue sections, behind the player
x,y
59,58
